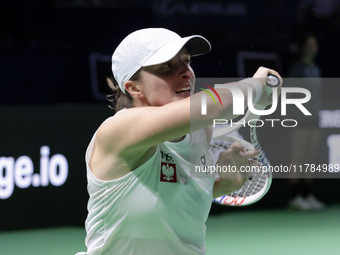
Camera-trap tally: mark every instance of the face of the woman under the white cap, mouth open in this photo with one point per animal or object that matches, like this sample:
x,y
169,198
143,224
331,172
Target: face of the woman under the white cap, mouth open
x,y
167,82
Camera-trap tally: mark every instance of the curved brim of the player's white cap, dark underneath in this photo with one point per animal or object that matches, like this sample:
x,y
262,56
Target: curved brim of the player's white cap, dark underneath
x,y
196,45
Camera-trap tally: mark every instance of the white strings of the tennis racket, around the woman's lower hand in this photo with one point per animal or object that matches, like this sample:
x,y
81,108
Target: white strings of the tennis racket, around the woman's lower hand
x,y
256,181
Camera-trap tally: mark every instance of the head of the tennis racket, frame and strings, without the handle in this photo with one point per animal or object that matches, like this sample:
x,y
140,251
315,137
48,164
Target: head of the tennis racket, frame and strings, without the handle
x,y
257,184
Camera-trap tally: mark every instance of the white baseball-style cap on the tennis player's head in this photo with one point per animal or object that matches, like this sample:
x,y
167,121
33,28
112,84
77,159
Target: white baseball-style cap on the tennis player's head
x,y
151,46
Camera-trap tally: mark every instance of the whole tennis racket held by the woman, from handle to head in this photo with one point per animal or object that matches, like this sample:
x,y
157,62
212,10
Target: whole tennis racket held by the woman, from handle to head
x,y
259,181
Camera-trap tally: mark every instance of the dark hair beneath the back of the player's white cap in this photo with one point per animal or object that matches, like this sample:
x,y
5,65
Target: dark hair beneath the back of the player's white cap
x,y
118,99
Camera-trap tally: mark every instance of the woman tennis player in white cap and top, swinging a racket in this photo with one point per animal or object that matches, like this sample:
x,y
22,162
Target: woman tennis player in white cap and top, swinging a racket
x,y
145,197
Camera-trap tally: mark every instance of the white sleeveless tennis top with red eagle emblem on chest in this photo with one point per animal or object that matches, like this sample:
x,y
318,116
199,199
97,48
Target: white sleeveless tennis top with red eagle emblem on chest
x,y
159,208
